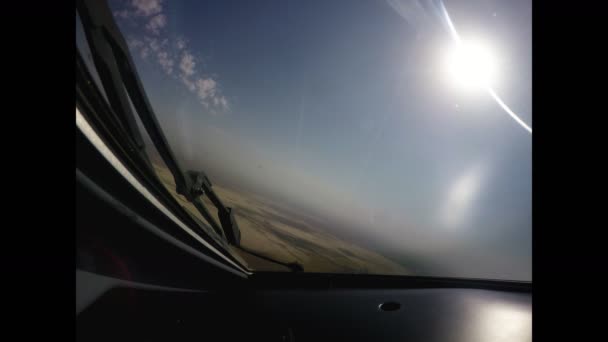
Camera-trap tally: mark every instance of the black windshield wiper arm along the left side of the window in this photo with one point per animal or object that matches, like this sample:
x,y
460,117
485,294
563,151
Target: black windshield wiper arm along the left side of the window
x,y
118,73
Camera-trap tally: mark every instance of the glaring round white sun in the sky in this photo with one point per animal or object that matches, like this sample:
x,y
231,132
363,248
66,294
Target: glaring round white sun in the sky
x,y
470,65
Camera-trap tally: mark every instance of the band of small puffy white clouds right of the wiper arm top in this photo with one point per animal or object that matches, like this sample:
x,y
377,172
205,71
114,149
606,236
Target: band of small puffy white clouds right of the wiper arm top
x,y
172,54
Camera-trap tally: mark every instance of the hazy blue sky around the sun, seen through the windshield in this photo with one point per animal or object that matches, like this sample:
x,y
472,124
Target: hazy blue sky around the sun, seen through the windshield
x,y
339,108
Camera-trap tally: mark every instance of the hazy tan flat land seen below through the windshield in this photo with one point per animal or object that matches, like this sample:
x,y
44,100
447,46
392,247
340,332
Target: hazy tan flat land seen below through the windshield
x,y
285,235
